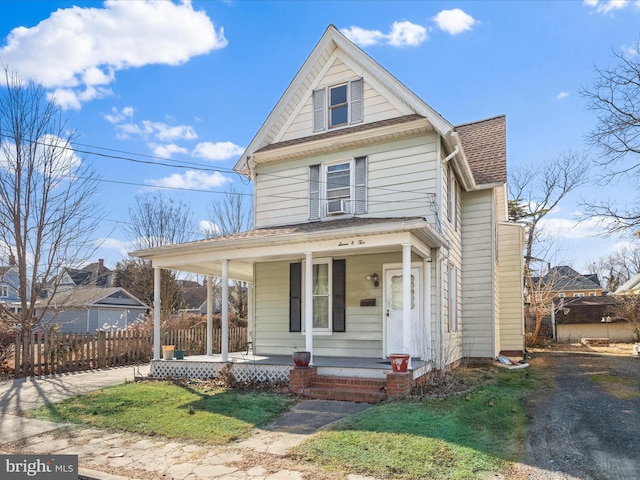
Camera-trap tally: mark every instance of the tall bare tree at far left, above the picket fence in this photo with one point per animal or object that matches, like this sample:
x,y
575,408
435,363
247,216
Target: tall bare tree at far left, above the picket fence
x,y
47,212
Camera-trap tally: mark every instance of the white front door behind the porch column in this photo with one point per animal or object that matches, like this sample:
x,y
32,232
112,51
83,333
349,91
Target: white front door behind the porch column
x,y
394,308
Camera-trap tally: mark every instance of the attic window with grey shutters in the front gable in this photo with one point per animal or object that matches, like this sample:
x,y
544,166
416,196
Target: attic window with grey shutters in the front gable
x,y
338,105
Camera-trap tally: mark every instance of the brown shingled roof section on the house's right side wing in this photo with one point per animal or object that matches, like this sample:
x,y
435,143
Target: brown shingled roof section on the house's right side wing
x,y
485,146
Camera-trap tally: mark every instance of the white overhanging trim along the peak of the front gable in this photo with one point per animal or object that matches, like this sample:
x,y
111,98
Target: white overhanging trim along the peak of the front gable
x,y
302,85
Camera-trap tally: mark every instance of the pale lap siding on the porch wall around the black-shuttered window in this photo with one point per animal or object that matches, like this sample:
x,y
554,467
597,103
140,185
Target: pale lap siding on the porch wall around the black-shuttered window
x,y
364,324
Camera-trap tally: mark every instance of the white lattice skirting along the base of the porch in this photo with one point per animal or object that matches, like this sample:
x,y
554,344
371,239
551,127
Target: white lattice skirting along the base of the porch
x,y
243,372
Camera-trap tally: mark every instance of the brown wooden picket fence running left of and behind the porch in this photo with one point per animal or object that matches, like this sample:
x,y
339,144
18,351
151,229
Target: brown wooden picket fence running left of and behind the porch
x,y
52,353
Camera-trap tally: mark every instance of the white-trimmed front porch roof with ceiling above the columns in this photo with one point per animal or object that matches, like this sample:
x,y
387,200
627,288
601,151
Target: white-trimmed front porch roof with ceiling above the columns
x,y
337,238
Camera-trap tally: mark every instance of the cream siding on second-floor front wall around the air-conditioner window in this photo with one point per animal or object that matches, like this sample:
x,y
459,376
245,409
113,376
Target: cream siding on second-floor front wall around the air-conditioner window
x,y
400,181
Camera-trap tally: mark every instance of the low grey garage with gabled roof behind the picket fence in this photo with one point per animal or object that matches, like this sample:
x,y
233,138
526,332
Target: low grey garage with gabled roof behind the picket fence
x,y
89,309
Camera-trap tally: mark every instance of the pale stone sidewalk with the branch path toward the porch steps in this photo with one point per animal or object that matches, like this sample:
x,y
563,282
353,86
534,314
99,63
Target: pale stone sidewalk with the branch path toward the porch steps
x,y
117,456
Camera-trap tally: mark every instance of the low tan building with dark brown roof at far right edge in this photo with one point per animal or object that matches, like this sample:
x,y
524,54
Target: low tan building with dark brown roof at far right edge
x,y
587,317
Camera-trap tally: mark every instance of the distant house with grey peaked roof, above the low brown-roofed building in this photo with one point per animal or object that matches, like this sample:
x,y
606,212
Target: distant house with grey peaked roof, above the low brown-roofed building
x,y
565,282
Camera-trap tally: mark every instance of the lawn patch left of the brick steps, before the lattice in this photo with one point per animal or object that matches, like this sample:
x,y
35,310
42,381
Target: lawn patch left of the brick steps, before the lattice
x,y
157,408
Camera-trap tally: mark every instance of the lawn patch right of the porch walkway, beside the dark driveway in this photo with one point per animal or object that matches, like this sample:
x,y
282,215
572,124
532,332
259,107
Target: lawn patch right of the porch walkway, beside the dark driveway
x,y
461,437
